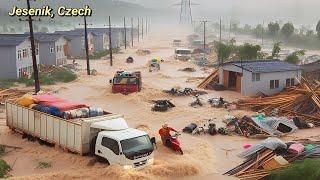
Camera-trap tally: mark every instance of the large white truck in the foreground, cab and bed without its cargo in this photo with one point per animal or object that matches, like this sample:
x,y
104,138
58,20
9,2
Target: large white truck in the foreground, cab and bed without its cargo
x,y
107,136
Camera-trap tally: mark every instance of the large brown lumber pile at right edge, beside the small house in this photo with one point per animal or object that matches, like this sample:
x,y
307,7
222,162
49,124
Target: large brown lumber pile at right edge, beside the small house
x,y
302,101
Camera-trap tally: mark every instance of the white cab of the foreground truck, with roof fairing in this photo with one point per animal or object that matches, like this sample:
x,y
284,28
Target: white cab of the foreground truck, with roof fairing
x,y
120,145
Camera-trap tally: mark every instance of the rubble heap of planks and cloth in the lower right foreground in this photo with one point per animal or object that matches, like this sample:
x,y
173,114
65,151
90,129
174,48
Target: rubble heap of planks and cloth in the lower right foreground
x,y
272,154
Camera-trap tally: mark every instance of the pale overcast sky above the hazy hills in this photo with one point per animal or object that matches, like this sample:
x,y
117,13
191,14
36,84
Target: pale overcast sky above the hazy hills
x,y
248,11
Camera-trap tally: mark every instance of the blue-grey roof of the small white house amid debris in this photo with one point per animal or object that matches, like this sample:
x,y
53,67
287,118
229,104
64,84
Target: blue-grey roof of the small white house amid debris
x,y
264,66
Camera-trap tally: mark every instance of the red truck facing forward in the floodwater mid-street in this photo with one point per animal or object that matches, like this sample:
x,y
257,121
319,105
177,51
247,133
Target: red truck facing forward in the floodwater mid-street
x,y
126,82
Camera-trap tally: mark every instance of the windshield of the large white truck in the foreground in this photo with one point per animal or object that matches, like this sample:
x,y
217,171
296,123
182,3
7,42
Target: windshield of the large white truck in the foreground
x,y
136,146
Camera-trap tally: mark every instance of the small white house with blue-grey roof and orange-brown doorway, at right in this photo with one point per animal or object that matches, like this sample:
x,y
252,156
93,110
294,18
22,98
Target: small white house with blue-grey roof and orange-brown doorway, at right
x,y
262,76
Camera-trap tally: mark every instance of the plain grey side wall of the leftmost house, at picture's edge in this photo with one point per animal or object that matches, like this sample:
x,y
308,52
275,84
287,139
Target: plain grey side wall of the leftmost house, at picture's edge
x,y
8,68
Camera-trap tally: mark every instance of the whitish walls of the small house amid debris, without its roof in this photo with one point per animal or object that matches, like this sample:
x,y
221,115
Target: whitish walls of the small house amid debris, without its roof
x,y
251,88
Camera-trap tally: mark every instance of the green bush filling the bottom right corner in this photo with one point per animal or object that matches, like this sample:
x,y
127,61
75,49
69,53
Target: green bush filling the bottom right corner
x,y
307,170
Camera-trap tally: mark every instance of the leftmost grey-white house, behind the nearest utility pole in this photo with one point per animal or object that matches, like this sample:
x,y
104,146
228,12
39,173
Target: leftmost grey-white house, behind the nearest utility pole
x,y
16,56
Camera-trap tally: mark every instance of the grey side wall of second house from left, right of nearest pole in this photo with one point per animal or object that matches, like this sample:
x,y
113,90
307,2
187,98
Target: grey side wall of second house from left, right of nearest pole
x,y
47,57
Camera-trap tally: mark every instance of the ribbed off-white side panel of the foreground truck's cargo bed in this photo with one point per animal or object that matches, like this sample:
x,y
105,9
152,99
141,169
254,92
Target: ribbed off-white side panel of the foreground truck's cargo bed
x,y
64,133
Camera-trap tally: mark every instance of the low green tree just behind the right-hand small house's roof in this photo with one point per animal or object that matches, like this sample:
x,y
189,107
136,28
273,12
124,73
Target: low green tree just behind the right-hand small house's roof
x,y
248,51
